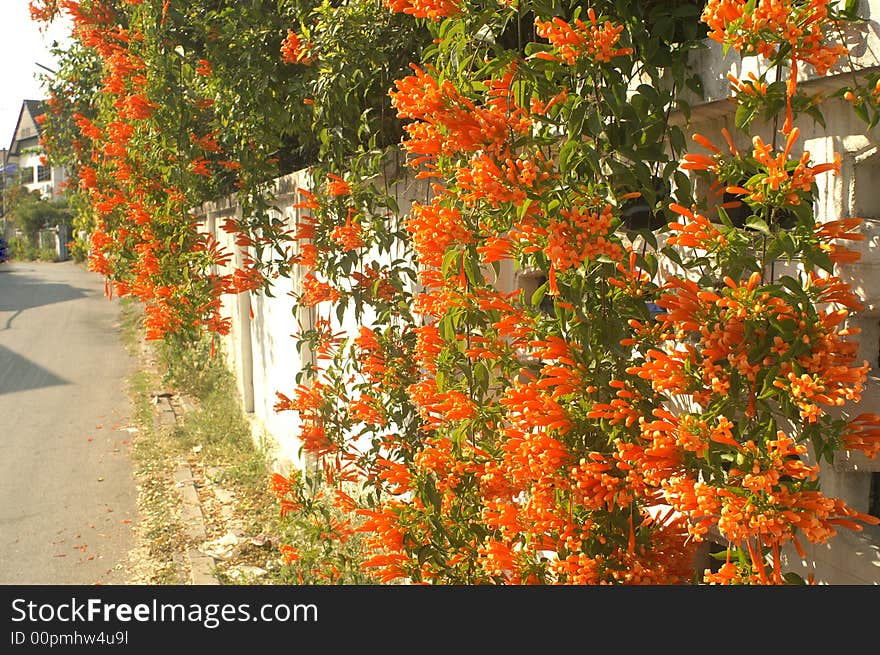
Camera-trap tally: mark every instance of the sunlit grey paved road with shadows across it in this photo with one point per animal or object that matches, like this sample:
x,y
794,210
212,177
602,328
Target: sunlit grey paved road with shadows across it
x,y
67,493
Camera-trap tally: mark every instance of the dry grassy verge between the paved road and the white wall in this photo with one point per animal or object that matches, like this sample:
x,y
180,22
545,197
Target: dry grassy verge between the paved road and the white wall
x,y
214,438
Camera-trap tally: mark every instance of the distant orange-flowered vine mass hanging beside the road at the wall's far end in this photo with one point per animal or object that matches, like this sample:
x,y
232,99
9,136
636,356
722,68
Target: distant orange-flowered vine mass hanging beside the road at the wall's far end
x,y
140,188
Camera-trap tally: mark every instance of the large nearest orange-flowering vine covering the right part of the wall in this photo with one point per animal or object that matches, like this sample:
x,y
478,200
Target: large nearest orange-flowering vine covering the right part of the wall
x,y
597,440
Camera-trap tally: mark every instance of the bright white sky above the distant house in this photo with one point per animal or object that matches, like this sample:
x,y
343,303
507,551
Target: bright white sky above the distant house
x,y
23,47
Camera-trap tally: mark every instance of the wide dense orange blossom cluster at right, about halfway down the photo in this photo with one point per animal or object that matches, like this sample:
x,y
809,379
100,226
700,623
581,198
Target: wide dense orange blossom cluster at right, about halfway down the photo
x,y
823,361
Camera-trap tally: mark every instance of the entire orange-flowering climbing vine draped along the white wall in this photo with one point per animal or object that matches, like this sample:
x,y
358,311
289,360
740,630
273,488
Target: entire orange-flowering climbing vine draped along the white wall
x,y
595,340
